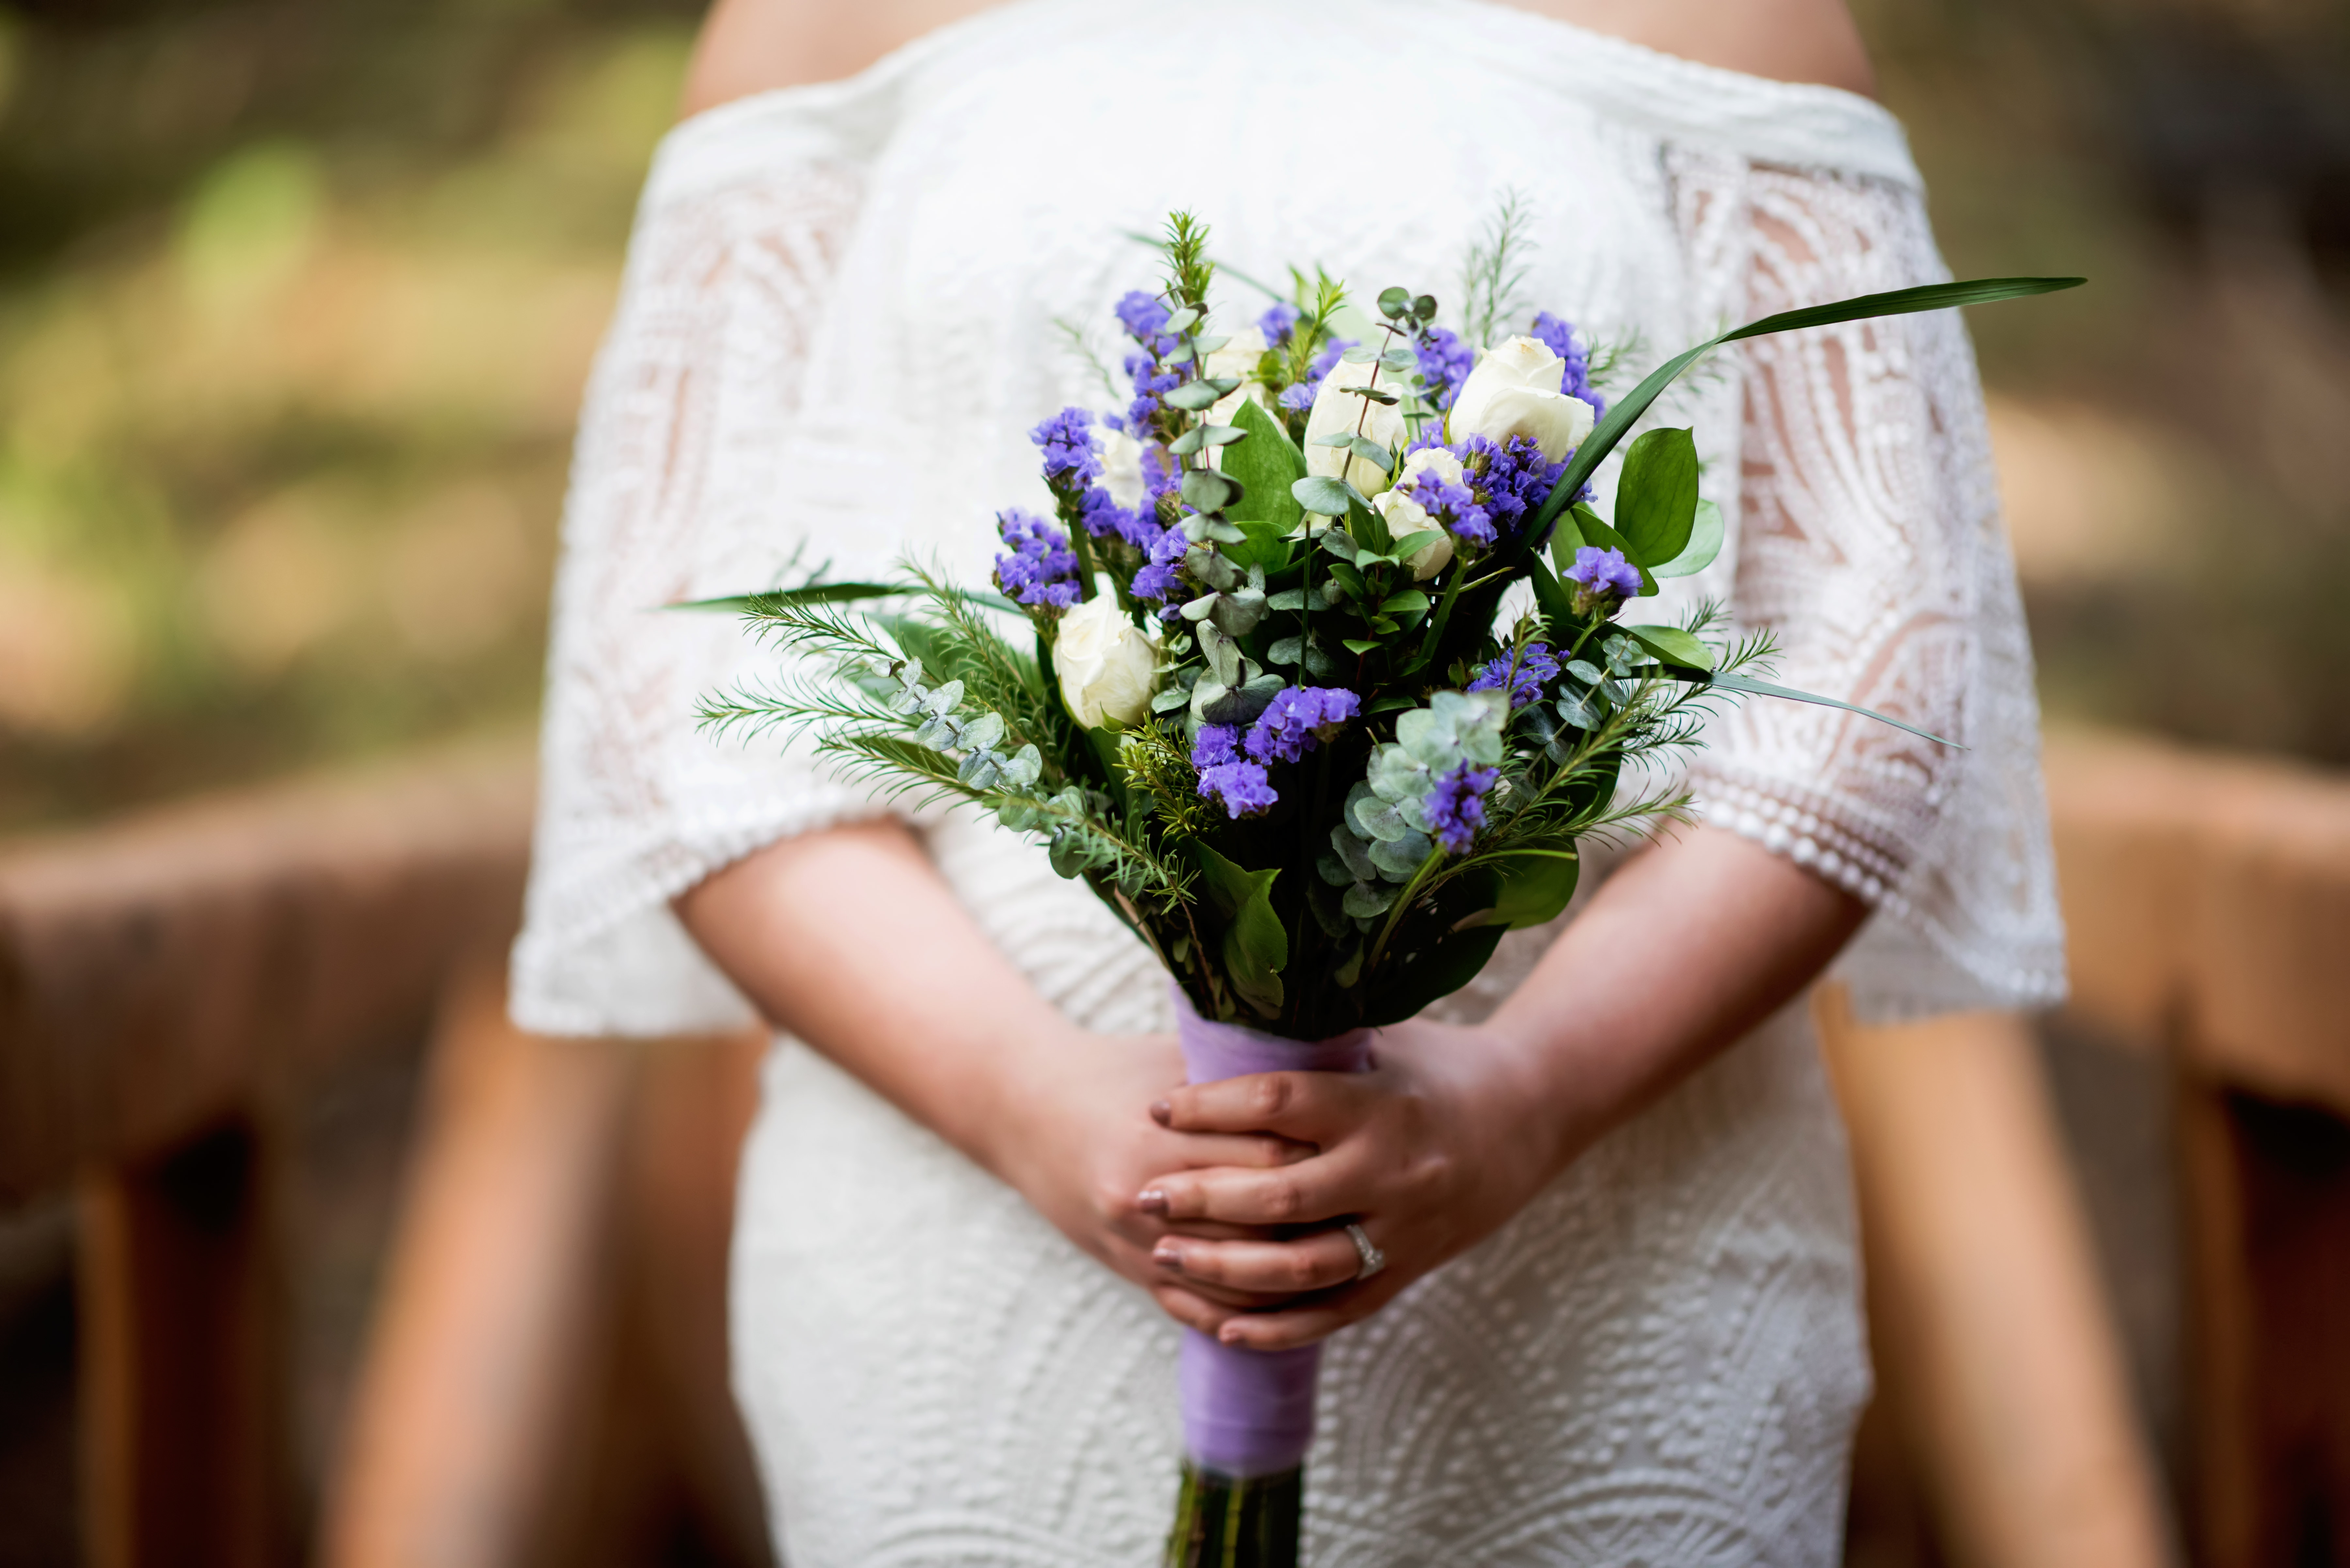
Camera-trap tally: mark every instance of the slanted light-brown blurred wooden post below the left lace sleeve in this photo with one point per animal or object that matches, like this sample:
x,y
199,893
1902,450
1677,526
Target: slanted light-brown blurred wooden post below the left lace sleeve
x,y
481,1360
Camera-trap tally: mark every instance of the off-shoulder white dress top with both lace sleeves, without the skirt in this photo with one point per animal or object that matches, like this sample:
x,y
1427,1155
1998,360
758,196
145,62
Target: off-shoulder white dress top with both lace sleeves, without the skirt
x,y
850,302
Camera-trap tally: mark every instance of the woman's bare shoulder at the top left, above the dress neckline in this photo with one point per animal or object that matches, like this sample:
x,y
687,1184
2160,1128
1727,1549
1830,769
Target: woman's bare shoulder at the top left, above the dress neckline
x,y
758,46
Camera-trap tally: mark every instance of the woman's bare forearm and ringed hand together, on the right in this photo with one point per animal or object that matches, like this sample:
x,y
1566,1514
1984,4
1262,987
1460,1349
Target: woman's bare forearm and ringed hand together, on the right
x,y
1461,1127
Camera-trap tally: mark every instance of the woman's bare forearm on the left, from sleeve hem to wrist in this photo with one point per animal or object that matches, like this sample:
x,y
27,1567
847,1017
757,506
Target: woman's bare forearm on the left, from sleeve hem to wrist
x,y
854,944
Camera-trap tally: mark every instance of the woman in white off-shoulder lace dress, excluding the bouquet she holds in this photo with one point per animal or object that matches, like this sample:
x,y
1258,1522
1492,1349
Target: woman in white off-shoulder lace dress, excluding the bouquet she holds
x,y
1620,1308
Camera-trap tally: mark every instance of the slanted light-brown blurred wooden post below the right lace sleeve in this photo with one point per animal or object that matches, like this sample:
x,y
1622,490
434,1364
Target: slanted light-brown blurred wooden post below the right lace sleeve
x,y
1996,1355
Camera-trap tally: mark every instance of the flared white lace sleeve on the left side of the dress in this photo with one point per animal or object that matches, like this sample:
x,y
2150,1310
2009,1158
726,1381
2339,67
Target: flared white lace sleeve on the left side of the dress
x,y
673,497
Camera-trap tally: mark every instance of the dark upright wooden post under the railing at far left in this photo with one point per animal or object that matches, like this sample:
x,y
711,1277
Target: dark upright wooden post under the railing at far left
x,y
184,1395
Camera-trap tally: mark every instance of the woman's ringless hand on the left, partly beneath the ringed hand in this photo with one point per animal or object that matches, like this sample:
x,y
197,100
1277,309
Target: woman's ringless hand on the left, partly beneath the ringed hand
x,y
1077,1144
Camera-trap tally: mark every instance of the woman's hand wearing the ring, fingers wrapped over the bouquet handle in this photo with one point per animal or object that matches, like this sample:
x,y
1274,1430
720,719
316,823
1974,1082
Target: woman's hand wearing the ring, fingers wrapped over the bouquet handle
x,y
1430,1153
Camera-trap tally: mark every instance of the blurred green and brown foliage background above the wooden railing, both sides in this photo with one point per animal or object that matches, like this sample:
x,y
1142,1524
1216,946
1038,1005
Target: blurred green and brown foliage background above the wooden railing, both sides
x,y
297,302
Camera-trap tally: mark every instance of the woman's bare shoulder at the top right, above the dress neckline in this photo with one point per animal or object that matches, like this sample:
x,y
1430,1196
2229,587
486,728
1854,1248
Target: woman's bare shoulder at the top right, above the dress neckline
x,y
1790,41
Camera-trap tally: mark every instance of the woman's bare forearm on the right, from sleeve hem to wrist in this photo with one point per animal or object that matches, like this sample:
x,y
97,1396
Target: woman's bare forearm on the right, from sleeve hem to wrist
x,y
1679,956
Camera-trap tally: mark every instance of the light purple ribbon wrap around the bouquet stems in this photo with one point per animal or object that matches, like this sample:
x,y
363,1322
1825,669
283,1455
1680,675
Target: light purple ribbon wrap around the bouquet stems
x,y
1251,1412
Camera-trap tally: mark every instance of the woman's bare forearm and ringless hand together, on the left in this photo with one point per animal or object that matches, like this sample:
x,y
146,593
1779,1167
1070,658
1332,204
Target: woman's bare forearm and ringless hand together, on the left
x,y
854,944
